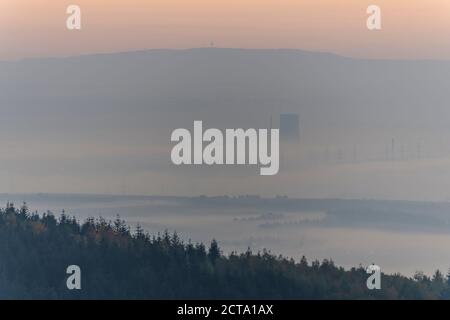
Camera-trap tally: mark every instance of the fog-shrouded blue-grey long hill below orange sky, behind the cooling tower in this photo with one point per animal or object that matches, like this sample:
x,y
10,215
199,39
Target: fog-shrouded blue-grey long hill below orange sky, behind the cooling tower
x,y
102,123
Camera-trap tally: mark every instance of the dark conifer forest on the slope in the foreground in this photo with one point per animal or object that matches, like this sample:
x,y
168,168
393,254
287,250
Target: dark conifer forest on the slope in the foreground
x,y
116,263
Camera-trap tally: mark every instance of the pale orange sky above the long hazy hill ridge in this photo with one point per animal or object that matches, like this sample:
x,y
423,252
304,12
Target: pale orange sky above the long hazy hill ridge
x,y
411,28
